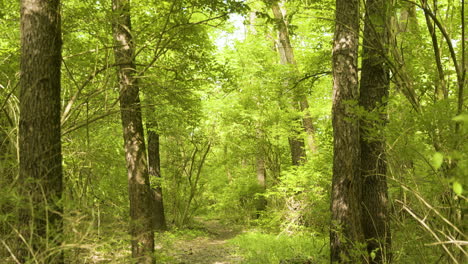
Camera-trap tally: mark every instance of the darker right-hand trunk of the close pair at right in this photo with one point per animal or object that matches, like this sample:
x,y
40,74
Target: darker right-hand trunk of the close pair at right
x,y
374,89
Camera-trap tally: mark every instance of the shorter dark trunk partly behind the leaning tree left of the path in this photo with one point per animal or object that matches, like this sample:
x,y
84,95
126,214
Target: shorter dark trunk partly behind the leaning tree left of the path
x,y
154,166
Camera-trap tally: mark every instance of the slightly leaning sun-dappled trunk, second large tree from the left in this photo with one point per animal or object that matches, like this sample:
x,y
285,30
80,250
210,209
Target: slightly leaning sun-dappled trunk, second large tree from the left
x,y
140,194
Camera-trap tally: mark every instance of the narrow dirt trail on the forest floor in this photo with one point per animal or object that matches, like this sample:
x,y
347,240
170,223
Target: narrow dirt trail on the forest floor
x,y
211,249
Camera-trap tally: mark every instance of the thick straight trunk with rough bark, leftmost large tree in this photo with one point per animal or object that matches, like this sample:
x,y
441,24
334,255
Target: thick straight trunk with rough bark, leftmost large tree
x,y
40,168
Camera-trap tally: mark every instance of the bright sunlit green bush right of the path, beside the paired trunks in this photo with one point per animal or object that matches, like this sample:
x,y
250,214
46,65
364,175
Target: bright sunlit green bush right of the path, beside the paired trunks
x,y
300,199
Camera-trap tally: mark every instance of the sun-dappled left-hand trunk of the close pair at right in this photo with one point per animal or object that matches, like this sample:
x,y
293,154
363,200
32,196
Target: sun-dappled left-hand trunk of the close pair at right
x,y
346,229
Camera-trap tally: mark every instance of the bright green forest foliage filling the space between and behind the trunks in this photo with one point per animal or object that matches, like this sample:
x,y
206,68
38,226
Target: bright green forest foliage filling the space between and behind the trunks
x,y
206,82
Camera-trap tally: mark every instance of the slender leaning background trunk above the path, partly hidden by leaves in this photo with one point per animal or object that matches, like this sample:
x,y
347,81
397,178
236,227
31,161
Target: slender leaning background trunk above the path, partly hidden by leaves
x,y
299,100
